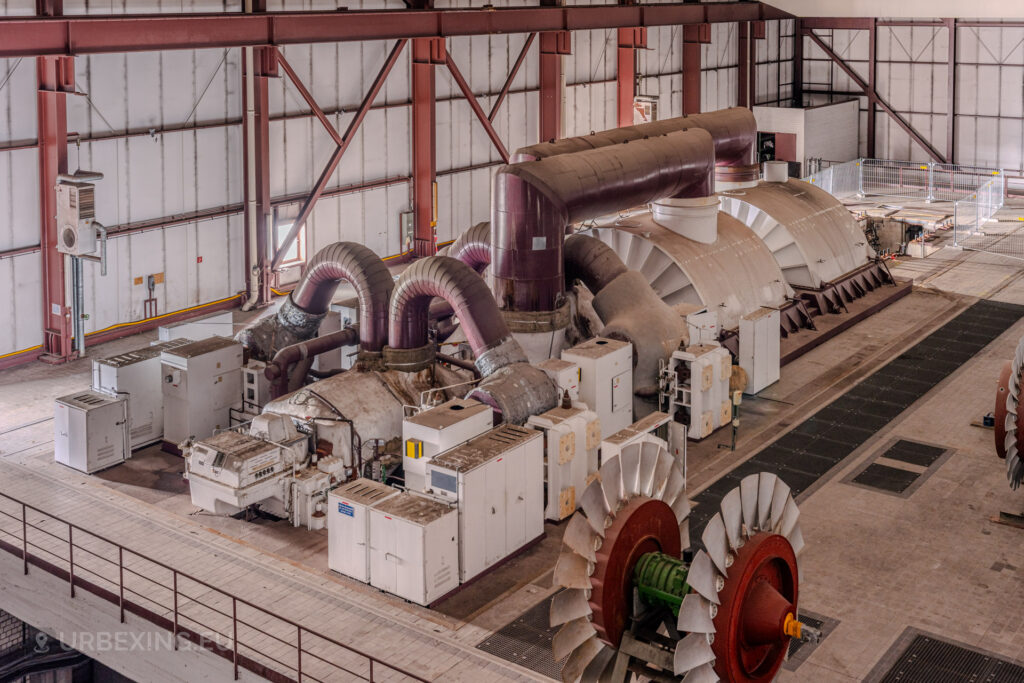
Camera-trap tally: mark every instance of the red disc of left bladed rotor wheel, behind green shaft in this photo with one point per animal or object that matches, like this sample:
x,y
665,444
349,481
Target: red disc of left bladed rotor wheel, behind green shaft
x,y
645,526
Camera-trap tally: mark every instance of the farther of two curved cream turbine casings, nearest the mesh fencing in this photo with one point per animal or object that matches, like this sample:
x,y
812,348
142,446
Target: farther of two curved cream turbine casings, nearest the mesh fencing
x,y
810,234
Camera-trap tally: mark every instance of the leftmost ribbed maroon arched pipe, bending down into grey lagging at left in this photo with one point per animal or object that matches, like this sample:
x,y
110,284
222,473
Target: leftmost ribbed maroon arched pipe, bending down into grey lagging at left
x,y
367,273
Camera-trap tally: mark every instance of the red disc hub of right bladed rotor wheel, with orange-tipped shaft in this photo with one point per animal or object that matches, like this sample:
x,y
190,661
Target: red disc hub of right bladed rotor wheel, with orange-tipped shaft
x,y
760,591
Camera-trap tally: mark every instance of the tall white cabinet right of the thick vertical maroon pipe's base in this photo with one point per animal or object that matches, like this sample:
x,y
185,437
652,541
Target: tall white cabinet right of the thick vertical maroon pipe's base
x,y
606,380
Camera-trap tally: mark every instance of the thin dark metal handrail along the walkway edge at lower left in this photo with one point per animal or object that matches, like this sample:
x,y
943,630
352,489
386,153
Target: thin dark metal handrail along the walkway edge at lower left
x,y
238,660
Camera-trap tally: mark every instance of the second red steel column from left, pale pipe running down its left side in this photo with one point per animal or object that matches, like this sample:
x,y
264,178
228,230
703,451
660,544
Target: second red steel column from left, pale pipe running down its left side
x,y
258,200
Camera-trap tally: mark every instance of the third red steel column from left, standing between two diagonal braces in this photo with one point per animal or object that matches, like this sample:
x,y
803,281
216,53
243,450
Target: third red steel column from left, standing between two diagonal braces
x,y
426,54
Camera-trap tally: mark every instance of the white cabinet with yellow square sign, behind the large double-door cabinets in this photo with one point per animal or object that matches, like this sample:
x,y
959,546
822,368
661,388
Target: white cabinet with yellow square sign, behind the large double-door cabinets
x,y
438,430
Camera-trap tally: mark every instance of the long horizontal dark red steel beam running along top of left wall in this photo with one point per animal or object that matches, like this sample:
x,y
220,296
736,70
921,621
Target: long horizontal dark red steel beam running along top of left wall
x,y
135,33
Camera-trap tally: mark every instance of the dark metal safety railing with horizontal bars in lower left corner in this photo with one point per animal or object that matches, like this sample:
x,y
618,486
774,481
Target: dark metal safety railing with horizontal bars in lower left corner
x,y
194,613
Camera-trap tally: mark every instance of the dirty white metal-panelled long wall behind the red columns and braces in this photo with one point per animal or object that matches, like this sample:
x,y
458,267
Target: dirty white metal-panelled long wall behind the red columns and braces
x,y
165,131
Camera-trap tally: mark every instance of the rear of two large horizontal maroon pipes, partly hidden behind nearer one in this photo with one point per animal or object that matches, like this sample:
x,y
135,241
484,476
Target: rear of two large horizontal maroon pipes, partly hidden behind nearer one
x,y
734,131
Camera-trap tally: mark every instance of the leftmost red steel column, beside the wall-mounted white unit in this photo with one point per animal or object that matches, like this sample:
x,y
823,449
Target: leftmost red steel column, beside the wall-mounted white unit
x,y
56,77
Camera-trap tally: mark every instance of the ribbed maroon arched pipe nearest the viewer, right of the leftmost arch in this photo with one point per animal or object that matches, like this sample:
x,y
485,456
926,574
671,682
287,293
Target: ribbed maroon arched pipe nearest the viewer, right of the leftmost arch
x,y
460,286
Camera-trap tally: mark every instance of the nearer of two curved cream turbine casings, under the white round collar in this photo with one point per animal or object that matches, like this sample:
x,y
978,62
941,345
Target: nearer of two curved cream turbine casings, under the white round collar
x,y
734,276
